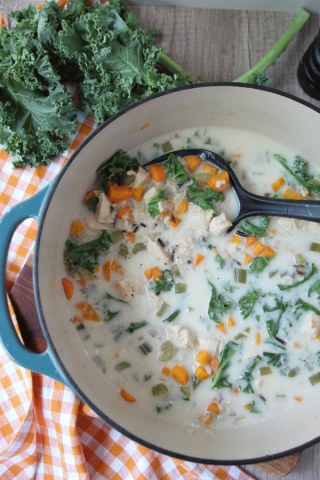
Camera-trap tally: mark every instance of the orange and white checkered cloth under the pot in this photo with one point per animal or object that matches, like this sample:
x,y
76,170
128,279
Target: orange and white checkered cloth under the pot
x,y
46,431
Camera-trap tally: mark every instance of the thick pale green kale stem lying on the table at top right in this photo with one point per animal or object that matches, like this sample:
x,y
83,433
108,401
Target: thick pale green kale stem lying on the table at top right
x,y
281,45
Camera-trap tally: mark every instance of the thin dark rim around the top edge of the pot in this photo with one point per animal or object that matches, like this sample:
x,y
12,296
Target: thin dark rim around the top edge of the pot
x,y
76,389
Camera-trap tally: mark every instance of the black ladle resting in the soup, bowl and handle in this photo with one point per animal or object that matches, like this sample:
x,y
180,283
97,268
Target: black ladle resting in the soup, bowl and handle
x,y
250,204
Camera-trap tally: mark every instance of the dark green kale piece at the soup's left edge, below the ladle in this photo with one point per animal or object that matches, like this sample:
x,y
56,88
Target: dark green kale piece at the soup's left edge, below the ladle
x,y
87,254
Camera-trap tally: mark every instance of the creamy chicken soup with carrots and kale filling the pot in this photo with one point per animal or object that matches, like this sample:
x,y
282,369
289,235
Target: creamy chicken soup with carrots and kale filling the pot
x,y
199,326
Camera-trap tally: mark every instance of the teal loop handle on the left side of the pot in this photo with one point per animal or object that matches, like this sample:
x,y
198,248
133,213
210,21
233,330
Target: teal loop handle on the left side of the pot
x,y
45,362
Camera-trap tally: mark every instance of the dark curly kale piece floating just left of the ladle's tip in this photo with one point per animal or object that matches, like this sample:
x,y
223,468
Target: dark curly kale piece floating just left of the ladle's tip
x,y
113,170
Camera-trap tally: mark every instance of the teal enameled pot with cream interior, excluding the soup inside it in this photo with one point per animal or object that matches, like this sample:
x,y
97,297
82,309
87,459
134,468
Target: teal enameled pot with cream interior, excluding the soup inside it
x,y
265,111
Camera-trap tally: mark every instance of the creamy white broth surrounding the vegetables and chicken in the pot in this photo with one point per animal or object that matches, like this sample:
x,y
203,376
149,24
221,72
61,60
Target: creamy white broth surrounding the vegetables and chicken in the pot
x,y
109,344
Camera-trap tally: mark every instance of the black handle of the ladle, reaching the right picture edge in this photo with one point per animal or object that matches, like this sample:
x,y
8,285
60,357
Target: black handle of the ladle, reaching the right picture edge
x,y
251,204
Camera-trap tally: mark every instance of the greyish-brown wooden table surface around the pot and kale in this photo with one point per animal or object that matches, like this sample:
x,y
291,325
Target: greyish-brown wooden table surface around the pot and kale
x,y
221,45
